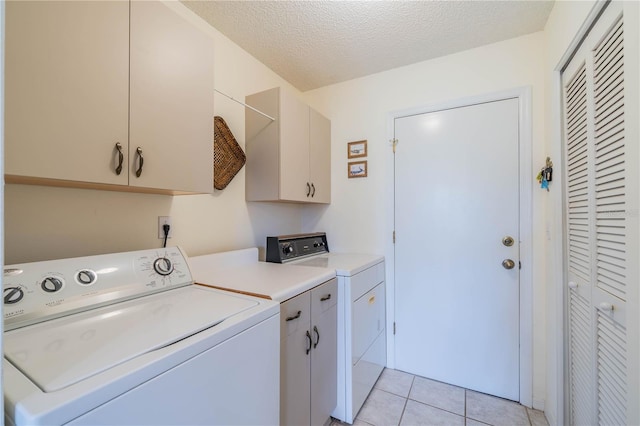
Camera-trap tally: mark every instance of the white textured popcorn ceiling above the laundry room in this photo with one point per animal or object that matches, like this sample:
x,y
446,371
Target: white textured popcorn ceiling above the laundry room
x,y
315,43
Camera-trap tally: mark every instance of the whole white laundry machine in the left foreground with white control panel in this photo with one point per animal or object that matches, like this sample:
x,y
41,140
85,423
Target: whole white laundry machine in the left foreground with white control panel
x,y
127,338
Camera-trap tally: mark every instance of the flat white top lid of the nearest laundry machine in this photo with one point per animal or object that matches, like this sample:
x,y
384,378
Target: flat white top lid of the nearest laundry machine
x,y
59,353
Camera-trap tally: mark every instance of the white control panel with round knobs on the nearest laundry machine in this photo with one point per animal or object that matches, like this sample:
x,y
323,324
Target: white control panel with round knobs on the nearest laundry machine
x,y
39,291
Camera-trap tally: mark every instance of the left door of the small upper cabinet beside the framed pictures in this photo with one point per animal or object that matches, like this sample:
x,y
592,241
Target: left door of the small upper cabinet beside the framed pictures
x,y
294,149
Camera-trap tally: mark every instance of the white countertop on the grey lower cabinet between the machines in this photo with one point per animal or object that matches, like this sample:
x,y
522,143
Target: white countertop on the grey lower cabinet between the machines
x,y
268,280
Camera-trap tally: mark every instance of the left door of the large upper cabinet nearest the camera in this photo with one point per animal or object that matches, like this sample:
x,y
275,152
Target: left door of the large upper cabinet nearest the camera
x,y
66,89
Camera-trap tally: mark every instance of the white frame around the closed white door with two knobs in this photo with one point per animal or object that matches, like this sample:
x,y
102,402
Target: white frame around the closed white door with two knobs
x,y
523,94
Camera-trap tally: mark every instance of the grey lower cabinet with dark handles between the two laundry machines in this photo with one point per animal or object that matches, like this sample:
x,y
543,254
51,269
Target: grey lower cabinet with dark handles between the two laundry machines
x,y
308,356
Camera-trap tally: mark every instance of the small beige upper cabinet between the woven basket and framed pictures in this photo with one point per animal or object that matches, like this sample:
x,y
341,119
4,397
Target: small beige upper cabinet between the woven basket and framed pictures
x,y
288,159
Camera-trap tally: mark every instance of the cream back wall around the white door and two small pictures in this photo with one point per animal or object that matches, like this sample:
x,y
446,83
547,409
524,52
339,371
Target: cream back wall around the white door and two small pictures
x,y
360,216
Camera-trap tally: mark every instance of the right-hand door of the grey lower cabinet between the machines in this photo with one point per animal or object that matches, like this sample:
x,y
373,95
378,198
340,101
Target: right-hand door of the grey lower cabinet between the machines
x,y
324,356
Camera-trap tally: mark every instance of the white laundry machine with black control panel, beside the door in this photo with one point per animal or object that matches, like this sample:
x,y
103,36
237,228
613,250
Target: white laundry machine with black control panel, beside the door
x,y
361,312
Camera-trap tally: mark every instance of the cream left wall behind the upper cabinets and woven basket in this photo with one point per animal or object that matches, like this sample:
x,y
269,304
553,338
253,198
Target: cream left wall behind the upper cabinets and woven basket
x,y
48,223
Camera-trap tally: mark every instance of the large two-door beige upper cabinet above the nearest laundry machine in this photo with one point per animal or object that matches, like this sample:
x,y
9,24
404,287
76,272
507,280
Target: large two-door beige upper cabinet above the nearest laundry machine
x,y
85,80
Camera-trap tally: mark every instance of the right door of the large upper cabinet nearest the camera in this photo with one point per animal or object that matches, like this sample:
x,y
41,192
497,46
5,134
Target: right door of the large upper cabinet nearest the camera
x,y
171,100
